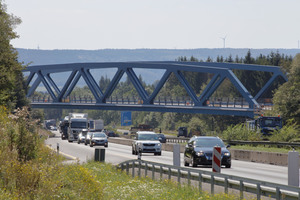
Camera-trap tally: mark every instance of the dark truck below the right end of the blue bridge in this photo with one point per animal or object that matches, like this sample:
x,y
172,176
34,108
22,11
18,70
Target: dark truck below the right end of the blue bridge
x,y
266,125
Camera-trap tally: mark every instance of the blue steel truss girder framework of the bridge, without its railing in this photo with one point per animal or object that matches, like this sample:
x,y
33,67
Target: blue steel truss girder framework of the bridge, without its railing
x,y
221,71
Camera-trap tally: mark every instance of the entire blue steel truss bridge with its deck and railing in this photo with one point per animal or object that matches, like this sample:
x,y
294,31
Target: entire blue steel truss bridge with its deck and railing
x,y
194,102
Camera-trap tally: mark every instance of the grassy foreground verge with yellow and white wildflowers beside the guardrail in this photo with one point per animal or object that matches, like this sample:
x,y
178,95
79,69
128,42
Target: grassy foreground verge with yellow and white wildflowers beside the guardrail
x,y
93,180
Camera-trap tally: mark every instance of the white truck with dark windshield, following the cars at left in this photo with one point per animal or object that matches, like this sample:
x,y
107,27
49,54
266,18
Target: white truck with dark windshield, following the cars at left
x,y
77,123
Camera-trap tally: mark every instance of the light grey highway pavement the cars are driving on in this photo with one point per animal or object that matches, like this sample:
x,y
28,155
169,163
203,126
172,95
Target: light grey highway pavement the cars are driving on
x,y
116,153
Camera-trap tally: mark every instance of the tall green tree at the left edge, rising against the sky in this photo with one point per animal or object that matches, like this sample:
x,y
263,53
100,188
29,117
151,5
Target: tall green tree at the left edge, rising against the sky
x,y
12,87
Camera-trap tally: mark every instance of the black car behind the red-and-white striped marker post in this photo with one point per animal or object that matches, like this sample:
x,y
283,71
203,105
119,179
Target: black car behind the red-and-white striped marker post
x,y
199,151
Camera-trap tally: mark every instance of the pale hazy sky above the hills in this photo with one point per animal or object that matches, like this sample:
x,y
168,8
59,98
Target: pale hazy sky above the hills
x,y
156,24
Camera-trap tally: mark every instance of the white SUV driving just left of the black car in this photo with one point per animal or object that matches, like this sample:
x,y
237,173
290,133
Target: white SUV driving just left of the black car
x,y
146,142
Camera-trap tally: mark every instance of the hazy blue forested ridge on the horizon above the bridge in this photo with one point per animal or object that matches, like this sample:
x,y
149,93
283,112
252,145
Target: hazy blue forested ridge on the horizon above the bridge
x,y
41,57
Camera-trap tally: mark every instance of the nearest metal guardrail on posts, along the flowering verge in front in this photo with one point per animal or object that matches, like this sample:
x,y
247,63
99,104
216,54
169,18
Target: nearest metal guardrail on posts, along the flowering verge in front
x,y
258,188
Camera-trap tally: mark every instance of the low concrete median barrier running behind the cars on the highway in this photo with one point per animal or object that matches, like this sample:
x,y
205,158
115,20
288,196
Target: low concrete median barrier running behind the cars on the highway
x,y
244,155
